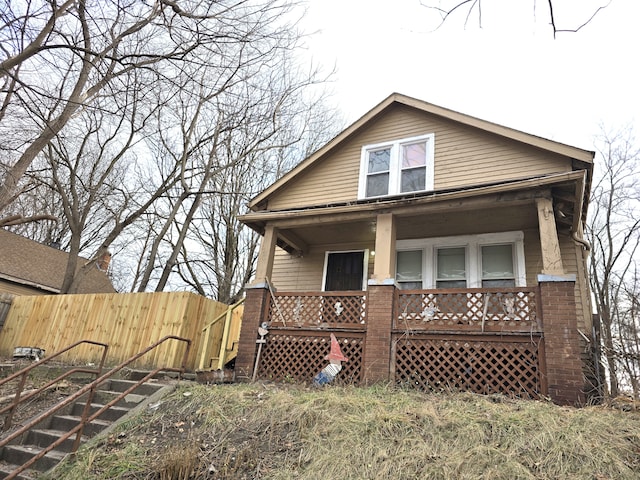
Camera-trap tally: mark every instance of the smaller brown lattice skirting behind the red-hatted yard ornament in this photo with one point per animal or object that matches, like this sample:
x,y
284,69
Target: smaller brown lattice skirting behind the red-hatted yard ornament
x,y
296,355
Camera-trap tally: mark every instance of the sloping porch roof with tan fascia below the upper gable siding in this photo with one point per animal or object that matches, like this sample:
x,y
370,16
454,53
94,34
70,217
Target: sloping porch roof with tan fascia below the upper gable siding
x,y
569,188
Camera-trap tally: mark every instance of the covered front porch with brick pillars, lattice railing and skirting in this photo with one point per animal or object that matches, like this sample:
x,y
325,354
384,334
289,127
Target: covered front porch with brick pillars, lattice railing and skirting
x,y
518,336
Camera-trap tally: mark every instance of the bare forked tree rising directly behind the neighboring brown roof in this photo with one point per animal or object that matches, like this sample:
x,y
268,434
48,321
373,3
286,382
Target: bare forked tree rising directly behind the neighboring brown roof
x,y
89,165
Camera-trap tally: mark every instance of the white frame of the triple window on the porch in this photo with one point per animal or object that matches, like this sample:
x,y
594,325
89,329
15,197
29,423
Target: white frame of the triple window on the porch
x,y
472,243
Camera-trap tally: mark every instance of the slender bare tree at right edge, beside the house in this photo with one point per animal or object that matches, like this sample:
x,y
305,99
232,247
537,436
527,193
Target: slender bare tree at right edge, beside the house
x,y
614,233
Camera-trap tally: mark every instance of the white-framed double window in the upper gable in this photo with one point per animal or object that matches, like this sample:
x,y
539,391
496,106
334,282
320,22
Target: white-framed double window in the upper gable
x,y
400,166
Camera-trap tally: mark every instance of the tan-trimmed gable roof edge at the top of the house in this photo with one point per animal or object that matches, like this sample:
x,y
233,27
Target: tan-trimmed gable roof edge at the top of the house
x,y
397,98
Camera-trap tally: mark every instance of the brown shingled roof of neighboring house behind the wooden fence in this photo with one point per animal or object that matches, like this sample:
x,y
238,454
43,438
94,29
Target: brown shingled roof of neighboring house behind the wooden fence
x,y
29,263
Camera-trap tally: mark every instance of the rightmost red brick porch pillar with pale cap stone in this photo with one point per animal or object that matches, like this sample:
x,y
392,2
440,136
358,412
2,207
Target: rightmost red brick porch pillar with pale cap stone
x,y
562,352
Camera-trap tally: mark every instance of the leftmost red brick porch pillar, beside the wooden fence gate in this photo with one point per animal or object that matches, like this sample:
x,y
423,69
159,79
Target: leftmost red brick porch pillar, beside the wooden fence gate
x,y
254,306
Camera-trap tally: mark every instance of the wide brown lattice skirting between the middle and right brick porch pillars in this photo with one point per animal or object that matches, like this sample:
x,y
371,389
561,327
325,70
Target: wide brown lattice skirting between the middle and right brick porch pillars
x,y
477,365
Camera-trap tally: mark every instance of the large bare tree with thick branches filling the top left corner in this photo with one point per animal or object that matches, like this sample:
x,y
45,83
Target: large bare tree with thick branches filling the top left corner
x,y
56,59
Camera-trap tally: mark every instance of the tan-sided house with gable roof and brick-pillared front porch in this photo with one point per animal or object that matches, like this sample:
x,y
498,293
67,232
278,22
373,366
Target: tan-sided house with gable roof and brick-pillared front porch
x,y
443,251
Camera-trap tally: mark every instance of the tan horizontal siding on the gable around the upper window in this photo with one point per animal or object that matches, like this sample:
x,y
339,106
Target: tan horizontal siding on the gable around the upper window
x,y
463,155
